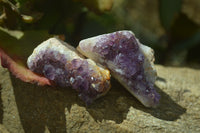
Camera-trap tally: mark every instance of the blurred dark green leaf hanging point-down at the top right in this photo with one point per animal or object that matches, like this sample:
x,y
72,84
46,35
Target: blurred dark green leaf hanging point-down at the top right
x,y
169,9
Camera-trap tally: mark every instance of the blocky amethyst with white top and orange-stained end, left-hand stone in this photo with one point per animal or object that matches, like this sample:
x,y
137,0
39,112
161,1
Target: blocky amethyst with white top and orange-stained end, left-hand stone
x,y
60,63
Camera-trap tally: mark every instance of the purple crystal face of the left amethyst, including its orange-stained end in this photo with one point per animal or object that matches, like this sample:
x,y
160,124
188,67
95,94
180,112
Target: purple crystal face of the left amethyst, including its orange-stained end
x,y
76,72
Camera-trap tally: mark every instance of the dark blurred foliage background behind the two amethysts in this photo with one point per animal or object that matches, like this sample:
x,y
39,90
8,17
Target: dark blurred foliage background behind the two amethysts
x,y
170,27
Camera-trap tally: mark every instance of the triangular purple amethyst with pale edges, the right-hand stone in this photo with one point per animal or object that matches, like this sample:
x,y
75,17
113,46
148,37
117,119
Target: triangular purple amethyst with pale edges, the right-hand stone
x,y
130,62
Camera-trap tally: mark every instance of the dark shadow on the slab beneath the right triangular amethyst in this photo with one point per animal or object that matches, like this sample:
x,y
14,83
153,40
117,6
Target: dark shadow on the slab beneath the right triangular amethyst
x,y
121,100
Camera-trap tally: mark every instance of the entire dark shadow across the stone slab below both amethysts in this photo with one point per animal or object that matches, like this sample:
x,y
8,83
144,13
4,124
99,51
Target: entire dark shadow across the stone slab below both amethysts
x,y
45,106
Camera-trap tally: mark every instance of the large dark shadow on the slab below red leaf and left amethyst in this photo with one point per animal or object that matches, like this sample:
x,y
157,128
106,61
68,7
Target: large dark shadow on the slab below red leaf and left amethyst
x,y
43,106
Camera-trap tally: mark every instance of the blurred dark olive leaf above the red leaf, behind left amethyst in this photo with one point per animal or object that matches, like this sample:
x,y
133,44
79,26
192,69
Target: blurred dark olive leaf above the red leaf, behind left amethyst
x,y
24,46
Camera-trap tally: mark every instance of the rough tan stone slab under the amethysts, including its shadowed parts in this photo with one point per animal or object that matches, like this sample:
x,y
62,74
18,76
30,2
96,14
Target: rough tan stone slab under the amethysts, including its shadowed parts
x,y
52,109
